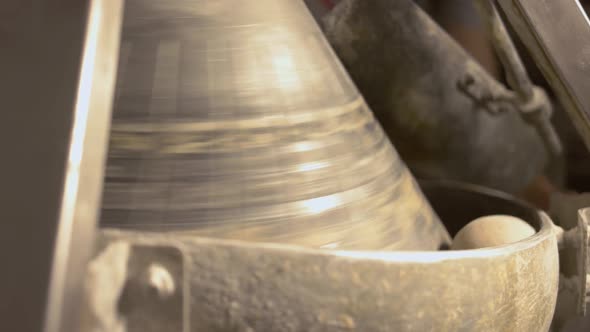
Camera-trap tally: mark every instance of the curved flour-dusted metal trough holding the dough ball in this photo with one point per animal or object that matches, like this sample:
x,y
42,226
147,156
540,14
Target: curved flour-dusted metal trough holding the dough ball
x,y
239,286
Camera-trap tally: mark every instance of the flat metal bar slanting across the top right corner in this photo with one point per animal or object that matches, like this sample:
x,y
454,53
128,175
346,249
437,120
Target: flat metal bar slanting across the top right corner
x,y
556,34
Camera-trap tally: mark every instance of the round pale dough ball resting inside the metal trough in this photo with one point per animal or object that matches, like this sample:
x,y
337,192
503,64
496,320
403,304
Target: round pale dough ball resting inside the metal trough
x,y
490,231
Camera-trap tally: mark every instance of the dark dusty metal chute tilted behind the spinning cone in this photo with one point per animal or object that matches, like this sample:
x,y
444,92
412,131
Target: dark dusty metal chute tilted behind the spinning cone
x,y
409,70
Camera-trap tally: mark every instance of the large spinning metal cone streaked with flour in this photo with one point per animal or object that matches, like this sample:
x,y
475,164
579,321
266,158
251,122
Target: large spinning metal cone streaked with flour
x,y
236,120
